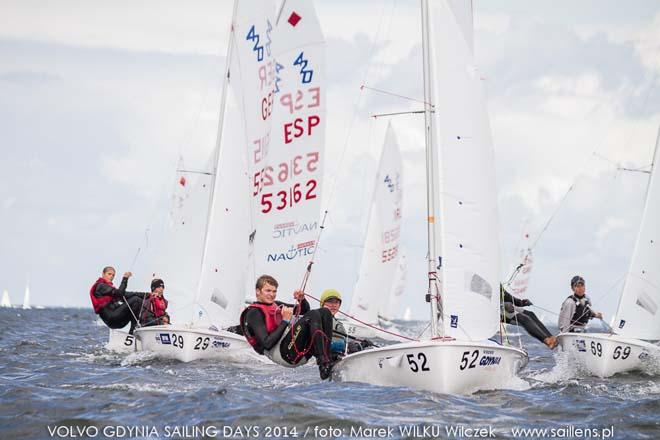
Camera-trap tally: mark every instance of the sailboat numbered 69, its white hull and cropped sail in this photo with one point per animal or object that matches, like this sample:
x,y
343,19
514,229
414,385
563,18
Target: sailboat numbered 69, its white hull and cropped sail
x,y
637,319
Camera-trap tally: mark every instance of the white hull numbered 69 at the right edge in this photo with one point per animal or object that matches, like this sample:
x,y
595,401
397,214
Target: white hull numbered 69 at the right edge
x,y
604,355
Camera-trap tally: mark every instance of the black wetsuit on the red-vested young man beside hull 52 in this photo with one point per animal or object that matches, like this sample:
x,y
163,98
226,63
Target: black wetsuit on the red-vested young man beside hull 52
x,y
312,334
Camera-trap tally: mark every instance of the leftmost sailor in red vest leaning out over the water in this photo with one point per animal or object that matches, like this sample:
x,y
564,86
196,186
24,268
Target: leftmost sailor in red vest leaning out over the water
x,y
115,306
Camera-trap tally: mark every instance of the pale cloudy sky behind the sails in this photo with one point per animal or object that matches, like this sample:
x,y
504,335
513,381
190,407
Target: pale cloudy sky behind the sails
x,y
100,98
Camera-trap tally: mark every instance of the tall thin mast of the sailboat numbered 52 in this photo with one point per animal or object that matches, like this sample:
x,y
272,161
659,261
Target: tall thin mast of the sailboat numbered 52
x,y
433,264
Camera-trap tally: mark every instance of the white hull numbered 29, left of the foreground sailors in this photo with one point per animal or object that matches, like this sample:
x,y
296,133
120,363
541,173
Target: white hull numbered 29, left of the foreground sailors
x,y
189,344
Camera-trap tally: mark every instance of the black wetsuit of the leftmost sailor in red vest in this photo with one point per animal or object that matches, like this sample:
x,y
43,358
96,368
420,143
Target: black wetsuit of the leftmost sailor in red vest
x,y
116,314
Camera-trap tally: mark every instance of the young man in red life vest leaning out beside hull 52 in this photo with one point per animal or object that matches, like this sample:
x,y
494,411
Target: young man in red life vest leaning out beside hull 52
x,y
267,326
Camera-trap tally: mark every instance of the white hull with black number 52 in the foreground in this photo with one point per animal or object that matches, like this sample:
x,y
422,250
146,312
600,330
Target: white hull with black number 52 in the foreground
x,y
447,367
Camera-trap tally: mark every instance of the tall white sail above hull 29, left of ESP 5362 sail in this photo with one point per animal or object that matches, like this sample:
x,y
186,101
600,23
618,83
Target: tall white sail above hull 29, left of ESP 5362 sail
x,y
244,124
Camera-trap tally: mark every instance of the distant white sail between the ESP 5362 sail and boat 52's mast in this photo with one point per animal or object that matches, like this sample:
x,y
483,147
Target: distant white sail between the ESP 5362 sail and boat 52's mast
x,y
381,247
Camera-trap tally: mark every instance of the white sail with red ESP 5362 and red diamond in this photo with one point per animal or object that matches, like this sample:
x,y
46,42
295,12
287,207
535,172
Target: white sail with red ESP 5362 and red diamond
x,y
286,180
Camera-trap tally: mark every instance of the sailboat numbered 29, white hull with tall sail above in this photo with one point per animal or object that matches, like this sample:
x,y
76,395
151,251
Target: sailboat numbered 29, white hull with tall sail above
x,y
224,257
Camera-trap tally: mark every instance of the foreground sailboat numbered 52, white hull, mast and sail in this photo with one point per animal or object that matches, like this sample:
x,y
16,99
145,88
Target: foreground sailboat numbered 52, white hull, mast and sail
x,y
463,260
